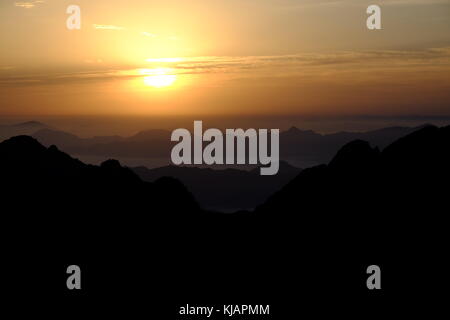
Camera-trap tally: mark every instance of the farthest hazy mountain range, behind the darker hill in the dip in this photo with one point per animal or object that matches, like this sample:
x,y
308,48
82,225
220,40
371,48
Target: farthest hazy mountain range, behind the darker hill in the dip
x,y
300,148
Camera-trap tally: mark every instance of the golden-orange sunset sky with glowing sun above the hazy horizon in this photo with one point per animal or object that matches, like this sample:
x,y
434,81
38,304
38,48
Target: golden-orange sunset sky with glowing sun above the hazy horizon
x,y
233,57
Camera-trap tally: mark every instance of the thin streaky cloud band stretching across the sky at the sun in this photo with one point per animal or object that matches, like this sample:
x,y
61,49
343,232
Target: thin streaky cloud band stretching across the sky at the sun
x,y
326,65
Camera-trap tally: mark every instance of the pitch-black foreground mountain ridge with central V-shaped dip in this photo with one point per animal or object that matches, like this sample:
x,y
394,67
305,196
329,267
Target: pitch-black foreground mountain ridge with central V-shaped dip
x,y
309,243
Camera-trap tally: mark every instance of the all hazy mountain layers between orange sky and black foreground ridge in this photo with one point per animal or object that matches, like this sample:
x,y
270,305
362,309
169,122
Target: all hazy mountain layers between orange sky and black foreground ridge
x,y
224,190
